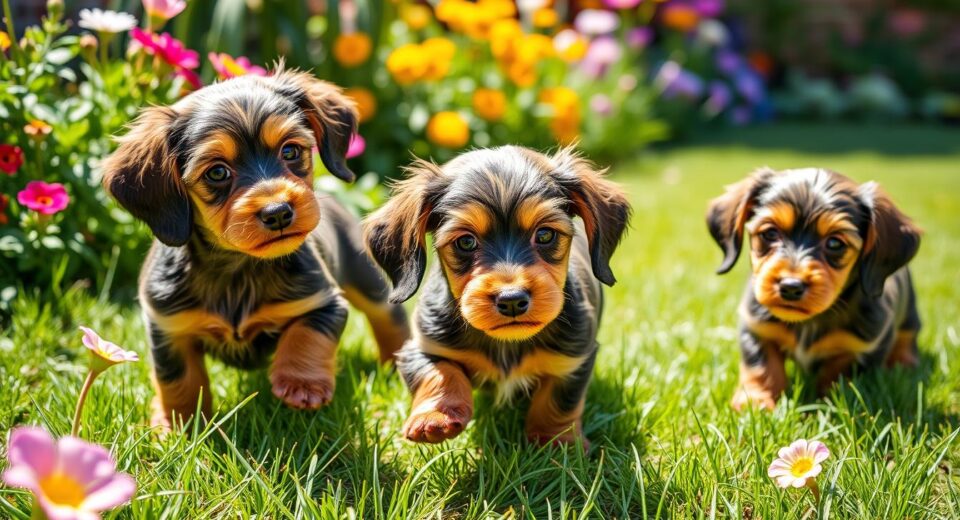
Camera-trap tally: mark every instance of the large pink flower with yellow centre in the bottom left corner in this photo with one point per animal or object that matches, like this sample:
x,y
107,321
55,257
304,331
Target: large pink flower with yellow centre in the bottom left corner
x,y
71,479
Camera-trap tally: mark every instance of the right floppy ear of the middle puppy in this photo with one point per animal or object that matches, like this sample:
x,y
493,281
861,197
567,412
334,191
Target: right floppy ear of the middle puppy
x,y
600,203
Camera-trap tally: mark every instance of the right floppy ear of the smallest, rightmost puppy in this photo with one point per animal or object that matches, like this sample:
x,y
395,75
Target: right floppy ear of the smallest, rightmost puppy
x,y
891,240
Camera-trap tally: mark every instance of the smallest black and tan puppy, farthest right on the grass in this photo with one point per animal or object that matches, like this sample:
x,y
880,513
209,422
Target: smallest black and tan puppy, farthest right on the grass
x,y
830,287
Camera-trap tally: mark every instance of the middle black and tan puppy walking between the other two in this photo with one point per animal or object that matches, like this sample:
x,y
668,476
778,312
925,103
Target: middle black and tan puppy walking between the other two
x,y
515,298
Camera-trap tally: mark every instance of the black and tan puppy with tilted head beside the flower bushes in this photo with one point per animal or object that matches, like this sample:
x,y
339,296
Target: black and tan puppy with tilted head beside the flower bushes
x,y
248,260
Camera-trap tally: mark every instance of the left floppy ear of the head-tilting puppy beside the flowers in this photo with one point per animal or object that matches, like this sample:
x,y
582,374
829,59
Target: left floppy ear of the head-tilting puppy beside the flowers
x,y
142,175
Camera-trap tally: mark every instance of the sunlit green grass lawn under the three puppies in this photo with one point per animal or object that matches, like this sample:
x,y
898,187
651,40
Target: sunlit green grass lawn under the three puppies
x,y
665,442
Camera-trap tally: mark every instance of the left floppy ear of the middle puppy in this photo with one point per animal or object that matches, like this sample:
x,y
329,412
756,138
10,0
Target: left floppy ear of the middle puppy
x,y
396,233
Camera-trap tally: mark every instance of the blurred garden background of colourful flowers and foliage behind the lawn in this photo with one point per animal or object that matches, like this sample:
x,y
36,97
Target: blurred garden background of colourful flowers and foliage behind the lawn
x,y
432,78
